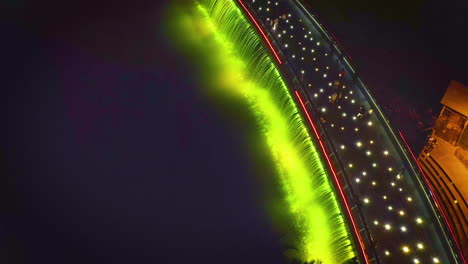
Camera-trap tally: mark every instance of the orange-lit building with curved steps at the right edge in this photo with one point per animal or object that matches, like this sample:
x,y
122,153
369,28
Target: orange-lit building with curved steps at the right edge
x,y
445,160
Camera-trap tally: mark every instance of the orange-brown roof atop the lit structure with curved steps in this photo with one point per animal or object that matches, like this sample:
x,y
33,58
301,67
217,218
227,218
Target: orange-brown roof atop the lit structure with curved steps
x,y
456,97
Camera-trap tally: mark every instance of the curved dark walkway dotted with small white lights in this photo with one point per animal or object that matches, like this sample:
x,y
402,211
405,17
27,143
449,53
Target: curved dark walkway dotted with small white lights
x,y
388,205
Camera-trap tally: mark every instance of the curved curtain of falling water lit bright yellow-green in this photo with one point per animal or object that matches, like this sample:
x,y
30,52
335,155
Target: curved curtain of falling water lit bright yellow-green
x,y
236,63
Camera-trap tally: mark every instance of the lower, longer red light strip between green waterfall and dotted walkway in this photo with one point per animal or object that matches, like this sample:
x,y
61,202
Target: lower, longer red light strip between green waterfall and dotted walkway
x,y
366,258
